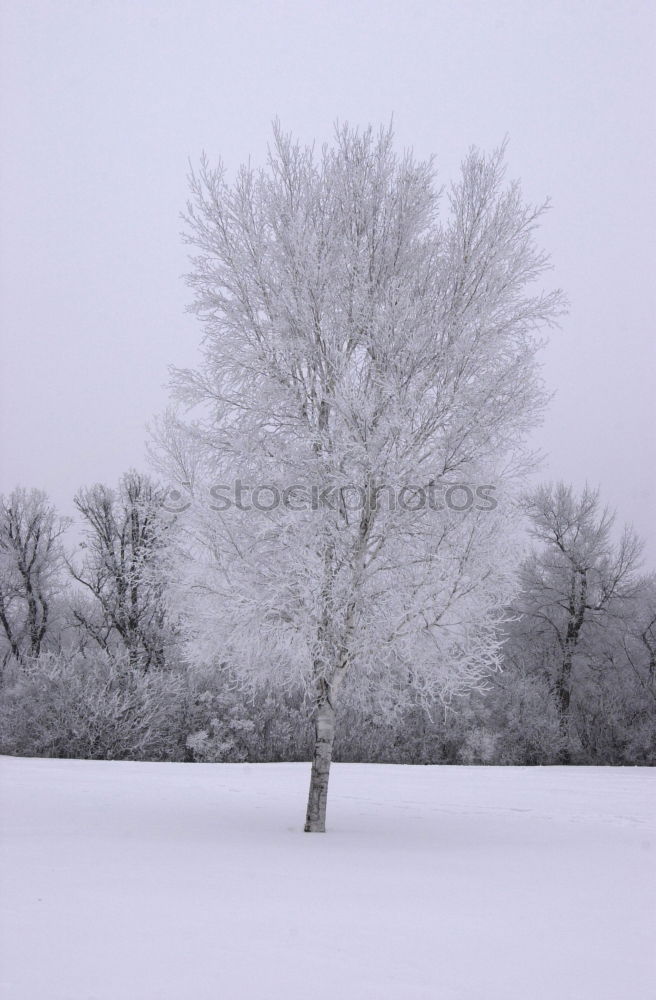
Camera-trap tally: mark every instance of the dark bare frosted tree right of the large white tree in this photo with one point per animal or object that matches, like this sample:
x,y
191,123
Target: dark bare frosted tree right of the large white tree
x,y
577,584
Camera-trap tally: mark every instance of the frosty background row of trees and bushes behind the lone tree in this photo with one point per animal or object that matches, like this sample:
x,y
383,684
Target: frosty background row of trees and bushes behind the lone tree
x,y
94,664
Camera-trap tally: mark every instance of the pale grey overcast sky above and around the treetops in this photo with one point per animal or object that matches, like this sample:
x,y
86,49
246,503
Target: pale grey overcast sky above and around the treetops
x,y
104,101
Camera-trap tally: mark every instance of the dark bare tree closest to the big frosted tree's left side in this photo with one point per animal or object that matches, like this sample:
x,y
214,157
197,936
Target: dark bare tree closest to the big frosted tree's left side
x,y
123,570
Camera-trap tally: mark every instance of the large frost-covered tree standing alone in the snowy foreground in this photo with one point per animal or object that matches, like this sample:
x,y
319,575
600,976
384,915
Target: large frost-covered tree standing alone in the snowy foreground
x,y
363,352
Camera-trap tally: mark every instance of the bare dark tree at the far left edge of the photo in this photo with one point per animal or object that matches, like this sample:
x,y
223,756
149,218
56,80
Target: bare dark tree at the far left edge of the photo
x,y
31,565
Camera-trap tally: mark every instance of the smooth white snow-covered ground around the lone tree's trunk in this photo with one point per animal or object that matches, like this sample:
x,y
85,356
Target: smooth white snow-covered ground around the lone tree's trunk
x,y
195,882
